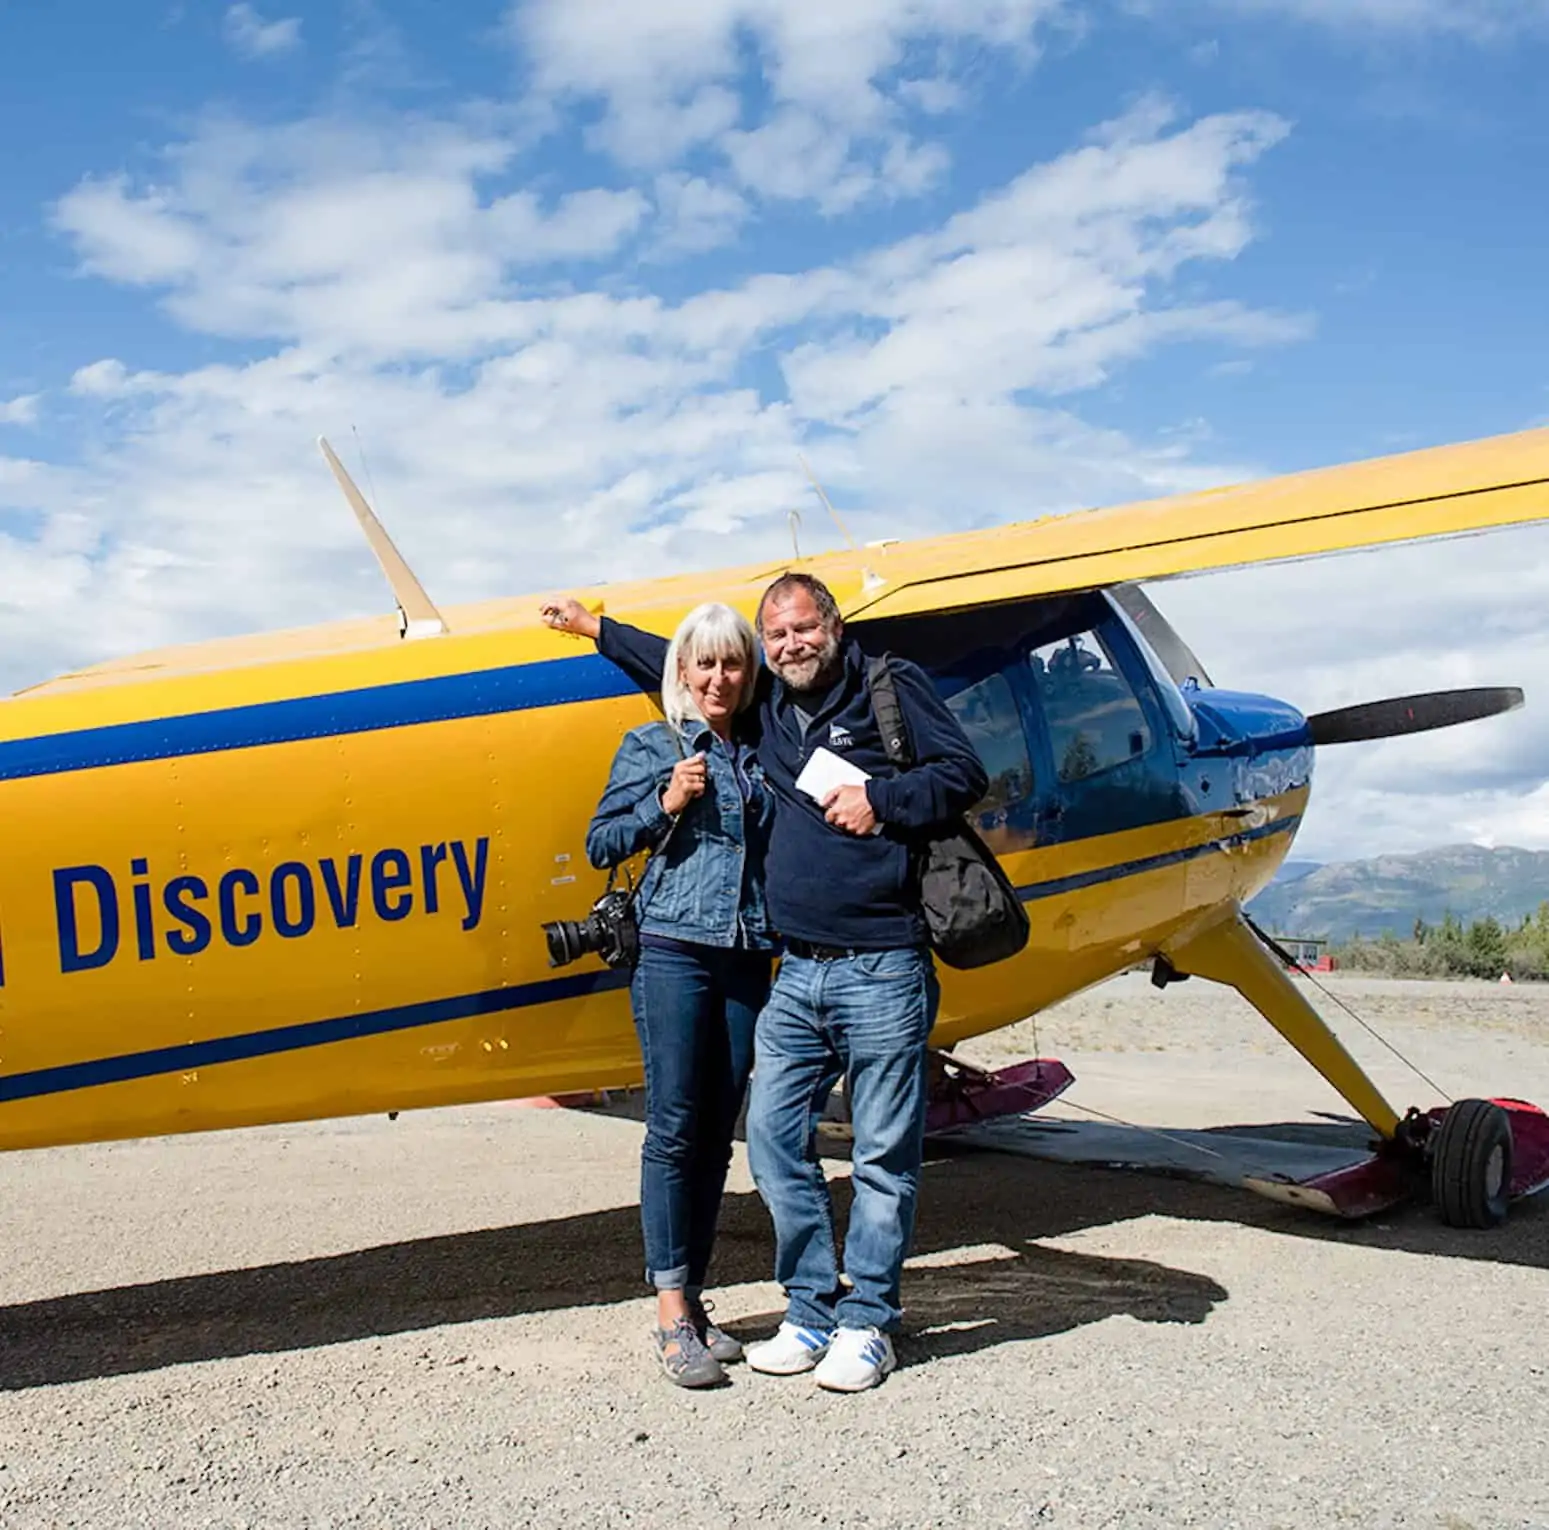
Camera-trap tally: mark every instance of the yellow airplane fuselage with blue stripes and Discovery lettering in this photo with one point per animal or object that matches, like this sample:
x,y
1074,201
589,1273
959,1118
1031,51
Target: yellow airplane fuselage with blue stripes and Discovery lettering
x,y
314,883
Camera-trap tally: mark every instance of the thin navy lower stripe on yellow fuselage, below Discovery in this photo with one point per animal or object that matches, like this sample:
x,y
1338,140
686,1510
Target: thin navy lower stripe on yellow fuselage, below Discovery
x,y
495,1001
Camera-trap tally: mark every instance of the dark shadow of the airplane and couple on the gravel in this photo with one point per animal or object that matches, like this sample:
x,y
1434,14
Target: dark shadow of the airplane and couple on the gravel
x,y
592,1260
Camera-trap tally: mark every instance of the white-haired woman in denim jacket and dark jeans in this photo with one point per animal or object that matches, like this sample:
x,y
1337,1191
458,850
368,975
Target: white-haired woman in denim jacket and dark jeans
x,y
693,794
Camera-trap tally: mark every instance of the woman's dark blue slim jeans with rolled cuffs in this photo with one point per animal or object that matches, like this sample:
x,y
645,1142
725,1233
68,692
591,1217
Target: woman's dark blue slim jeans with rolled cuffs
x,y
695,1015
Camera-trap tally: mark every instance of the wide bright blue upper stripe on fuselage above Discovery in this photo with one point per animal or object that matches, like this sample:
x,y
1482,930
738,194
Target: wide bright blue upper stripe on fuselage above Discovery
x,y
404,704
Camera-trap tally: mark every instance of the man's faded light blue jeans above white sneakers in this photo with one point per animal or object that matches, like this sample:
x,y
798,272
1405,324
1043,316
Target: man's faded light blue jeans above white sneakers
x,y
867,1017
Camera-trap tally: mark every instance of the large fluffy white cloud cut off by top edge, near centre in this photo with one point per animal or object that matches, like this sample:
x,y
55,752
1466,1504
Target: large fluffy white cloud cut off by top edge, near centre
x,y
839,95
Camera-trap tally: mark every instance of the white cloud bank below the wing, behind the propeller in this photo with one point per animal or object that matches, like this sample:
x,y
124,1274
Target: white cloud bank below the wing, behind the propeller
x,y
1393,622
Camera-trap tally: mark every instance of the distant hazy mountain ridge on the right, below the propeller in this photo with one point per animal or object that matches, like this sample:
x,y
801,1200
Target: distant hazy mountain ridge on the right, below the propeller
x,y
1393,891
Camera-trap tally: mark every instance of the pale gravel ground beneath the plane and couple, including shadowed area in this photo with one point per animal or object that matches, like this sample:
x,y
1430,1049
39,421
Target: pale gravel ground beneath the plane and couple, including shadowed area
x,y
438,1322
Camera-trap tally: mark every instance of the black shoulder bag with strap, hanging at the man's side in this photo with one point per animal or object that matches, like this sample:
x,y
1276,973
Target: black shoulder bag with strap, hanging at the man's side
x,y
972,911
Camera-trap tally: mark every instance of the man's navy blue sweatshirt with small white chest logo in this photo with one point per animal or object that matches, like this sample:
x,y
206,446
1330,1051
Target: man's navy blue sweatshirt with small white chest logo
x,y
826,885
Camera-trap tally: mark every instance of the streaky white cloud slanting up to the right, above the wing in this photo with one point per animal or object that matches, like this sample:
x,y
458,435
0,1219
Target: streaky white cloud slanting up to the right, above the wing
x,y
1051,284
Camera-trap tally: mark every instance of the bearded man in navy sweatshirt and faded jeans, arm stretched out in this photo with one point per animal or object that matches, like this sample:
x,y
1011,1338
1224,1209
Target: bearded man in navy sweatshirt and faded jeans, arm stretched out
x,y
856,992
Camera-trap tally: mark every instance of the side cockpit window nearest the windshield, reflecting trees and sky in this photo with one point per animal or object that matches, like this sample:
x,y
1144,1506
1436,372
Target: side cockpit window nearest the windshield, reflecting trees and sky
x,y
1094,718
